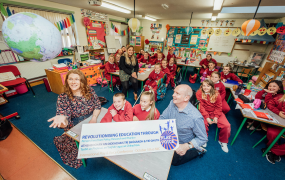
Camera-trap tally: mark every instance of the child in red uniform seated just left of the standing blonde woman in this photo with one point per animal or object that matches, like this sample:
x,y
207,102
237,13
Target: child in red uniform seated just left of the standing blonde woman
x,y
111,66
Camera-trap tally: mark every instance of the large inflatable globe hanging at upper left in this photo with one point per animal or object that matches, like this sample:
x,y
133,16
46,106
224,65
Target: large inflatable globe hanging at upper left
x,y
32,36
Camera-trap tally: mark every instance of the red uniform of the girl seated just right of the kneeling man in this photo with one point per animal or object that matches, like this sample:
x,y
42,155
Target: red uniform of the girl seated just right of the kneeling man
x,y
211,110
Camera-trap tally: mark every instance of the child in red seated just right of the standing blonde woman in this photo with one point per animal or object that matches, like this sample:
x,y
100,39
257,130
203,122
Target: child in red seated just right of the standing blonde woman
x,y
154,76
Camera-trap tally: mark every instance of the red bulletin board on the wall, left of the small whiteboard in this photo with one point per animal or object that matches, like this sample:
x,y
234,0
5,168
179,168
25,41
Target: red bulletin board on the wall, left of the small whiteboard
x,y
97,29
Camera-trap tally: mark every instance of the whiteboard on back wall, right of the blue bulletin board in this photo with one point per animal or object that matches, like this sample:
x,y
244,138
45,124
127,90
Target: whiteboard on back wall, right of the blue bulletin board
x,y
221,43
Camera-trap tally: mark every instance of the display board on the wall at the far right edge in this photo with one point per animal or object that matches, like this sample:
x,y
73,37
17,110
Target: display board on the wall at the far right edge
x,y
277,53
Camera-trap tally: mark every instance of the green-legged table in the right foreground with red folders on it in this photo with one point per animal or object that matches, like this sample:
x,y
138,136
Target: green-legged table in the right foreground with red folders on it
x,y
249,115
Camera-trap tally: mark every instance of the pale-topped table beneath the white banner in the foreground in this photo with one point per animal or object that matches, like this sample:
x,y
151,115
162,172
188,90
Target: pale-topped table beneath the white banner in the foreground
x,y
156,164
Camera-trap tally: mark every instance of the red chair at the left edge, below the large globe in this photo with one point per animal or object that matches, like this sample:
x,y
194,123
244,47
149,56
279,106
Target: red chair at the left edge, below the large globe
x,y
17,74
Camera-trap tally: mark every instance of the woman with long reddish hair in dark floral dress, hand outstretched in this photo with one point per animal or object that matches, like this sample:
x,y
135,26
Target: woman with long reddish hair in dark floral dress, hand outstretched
x,y
77,103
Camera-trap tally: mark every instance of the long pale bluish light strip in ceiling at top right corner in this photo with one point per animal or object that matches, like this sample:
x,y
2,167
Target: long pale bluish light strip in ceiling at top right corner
x,y
252,9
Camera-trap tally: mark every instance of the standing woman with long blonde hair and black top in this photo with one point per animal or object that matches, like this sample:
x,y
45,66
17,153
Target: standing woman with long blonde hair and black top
x,y
128,71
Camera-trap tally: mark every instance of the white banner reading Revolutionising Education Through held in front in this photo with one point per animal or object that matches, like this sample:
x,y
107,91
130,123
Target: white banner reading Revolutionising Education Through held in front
x,y
112,139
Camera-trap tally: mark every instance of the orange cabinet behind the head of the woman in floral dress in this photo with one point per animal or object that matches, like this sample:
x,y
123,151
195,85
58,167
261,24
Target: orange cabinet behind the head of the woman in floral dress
x,y
90,72
